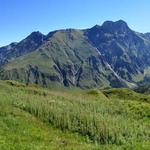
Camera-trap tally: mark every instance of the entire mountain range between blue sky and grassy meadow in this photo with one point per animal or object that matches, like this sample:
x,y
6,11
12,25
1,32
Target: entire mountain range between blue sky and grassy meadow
x,y
102,56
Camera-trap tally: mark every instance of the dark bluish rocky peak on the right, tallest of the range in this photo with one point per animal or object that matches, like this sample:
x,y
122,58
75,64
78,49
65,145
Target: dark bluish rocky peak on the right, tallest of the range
x,y
126,51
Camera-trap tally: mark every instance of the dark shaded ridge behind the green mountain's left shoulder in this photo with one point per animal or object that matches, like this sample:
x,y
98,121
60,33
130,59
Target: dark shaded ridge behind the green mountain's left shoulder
x,y
14,50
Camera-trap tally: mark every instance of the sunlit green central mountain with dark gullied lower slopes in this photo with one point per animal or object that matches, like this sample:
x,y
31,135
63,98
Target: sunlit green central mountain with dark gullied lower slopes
x,y
66,58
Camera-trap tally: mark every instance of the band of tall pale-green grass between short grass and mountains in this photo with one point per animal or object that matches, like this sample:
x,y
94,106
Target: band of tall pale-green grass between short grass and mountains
x,y
90,113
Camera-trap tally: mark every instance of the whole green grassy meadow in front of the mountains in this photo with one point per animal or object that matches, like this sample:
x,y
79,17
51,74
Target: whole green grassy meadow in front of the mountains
x,y
87,119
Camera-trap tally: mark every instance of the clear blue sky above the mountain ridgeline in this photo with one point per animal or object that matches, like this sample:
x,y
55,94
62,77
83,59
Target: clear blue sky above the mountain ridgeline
x,y
18,18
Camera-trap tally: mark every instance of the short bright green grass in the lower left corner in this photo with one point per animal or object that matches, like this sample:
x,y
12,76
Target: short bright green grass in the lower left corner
x,y
21,131
